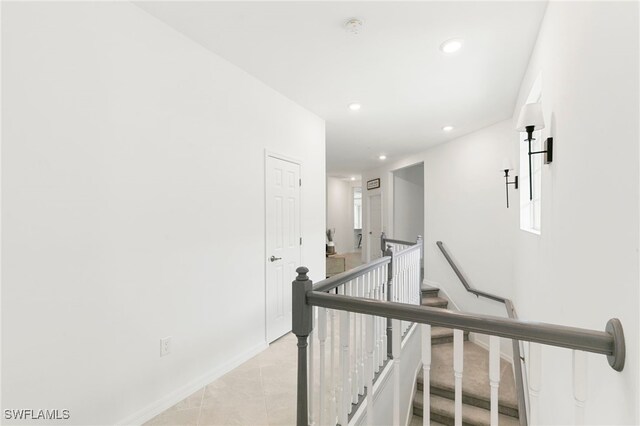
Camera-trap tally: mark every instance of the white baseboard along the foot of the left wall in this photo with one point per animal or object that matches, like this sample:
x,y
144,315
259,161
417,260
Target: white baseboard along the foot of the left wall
x,y
169,400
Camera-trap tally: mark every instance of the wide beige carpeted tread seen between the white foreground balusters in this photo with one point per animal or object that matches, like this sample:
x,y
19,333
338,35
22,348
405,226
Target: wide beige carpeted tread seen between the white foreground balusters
x,y
475,378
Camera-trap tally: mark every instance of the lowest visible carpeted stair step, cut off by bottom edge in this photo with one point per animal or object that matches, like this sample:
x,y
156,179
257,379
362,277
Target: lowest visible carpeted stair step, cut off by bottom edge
x,y
443,411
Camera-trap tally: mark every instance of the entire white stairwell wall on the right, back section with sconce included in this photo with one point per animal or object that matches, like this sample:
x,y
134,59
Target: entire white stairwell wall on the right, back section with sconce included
x,y
584,268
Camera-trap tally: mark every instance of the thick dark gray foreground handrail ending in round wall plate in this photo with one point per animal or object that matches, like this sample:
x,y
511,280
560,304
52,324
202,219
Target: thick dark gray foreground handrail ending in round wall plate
x,y
609,342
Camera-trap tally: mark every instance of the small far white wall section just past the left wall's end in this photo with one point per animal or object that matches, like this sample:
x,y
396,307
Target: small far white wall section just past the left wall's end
x,y
340,213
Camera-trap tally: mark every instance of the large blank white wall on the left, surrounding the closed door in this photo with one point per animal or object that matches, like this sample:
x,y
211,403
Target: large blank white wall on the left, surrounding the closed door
x,y
133,209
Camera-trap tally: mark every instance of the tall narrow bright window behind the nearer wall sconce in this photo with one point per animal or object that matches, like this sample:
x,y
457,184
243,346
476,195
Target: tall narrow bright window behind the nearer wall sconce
x,y
530,212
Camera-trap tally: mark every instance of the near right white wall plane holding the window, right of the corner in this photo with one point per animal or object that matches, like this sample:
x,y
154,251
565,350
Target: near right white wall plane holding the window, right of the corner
x,y
583,268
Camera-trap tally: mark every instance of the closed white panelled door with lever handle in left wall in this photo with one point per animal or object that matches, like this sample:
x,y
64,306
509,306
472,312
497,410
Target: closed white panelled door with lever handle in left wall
x,y
283,242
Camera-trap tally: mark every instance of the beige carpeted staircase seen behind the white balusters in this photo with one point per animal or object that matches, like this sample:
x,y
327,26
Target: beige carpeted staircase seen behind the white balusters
x,y
475,382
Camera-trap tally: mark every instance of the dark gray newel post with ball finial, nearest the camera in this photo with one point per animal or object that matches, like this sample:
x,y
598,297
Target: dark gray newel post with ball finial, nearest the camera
x,y
302,324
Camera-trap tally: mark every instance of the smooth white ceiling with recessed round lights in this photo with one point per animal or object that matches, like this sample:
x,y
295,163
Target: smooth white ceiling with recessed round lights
x,y
408,89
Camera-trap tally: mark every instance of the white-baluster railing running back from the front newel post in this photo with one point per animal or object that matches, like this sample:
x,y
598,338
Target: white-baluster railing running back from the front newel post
x,y
350,349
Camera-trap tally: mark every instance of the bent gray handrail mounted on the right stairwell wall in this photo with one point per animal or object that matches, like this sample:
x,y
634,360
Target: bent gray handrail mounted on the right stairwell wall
x,y
518,359
